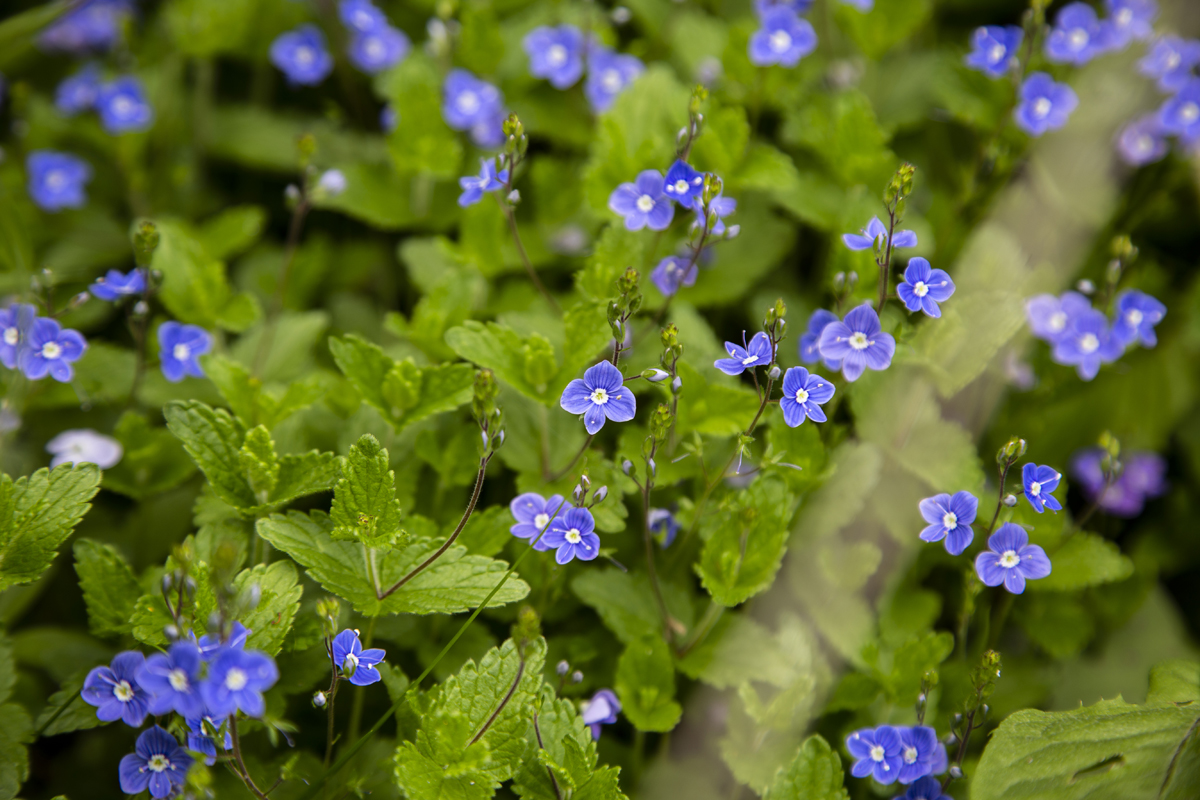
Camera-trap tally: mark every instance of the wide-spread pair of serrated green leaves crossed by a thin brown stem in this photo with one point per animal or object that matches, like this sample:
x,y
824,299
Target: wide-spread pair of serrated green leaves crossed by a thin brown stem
x,y
457,582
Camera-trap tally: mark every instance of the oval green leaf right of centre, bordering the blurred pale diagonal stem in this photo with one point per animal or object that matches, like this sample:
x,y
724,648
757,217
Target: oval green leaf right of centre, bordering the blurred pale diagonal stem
x,y
746,542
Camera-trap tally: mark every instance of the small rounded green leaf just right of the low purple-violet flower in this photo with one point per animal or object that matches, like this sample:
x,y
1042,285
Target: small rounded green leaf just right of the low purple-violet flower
x,y
646,685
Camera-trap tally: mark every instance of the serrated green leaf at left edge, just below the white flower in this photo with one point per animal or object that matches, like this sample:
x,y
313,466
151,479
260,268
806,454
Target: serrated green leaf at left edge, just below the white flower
x,y
38,514
